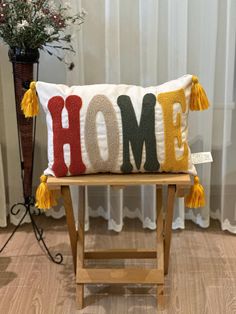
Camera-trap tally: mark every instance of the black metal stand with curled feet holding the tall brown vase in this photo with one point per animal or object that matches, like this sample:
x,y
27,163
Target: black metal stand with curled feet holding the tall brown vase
x,y
29,201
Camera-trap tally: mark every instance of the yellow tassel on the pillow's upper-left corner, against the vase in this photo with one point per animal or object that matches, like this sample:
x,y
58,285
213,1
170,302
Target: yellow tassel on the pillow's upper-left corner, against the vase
x,y
29,104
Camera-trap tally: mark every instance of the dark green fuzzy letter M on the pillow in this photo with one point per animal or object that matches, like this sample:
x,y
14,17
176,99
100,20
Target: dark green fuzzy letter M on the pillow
x,y
135,135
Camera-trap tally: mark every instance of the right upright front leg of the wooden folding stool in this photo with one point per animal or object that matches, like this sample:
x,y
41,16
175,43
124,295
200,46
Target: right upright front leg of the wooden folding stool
x,y
160,245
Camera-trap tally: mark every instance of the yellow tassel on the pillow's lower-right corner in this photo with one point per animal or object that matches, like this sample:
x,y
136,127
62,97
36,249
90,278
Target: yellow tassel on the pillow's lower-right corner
x,y
196,197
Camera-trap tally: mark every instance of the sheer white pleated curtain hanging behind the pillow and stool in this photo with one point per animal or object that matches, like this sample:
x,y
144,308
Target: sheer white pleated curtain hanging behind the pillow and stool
x,y
148,42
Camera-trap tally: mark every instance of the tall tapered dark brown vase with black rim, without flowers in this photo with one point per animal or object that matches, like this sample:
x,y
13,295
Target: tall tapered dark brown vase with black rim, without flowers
x,y
23,61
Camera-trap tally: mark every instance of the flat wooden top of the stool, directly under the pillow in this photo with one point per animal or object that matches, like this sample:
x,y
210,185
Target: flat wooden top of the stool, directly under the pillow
x,y
122,179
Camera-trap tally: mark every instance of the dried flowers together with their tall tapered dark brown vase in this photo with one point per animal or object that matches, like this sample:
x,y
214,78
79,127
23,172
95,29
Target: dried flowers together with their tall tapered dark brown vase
x,y
27,26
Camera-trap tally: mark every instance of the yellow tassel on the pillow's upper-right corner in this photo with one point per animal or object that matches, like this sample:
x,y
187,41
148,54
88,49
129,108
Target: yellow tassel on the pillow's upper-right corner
x,y
198,100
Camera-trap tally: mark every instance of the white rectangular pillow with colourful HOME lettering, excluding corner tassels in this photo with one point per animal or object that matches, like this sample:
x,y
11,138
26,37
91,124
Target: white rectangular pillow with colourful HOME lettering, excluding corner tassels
x,y
117,128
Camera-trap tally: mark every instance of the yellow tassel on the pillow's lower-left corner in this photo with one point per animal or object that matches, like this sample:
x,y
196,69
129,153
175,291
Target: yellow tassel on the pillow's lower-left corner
x,y
45,198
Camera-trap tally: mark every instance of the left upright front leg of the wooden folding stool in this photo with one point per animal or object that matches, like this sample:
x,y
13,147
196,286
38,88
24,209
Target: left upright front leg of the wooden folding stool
x,y
80,247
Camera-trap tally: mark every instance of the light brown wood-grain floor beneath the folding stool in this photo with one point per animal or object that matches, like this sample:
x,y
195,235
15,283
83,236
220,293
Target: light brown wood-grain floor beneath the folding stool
x,y
201,280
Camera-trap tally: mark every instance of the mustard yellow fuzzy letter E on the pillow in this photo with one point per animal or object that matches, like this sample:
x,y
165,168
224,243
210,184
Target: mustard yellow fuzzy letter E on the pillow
x,y
172,130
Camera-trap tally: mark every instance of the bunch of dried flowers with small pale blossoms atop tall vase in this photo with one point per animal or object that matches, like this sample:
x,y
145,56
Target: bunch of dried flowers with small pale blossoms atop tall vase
x,y
38,24
